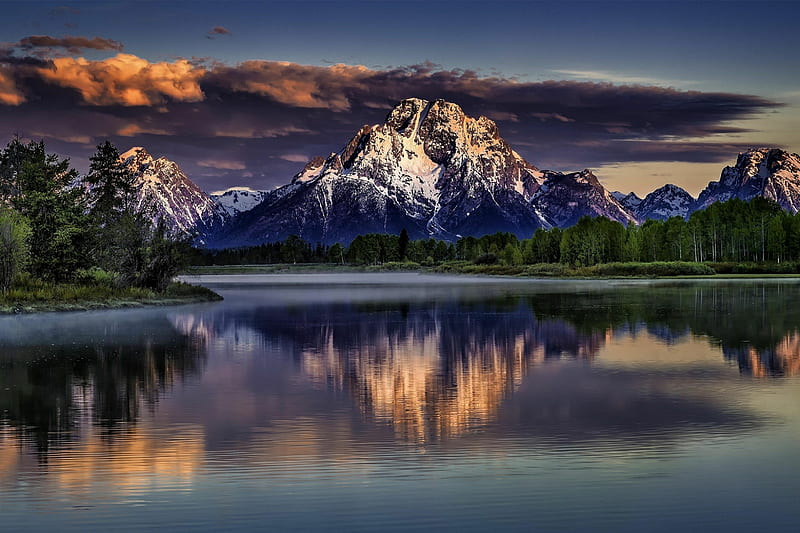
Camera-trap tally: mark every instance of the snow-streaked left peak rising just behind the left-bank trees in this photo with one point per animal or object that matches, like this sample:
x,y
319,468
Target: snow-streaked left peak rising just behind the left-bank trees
x,y
177,200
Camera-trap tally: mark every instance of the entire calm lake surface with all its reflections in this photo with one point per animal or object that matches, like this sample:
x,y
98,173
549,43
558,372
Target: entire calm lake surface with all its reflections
x,y
373,402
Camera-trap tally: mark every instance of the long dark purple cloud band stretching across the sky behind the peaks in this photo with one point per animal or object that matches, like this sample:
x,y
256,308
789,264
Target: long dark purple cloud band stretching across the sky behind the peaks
x,y
267,115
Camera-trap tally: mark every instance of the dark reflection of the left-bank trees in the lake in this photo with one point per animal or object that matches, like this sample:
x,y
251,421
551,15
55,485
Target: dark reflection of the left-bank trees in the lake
x,y
61,376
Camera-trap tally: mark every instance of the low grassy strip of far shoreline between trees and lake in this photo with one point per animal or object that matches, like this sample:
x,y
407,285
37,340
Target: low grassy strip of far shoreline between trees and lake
x,y
672,270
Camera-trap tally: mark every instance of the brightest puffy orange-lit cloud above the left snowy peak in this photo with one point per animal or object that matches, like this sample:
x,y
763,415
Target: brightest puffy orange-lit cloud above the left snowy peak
x,y
127,80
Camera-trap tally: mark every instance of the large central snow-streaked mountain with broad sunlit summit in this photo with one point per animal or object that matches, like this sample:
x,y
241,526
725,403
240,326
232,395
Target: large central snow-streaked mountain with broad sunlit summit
x,y
428,168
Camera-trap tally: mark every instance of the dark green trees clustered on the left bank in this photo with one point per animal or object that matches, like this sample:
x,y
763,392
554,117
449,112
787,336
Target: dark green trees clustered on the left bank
x,y
59,226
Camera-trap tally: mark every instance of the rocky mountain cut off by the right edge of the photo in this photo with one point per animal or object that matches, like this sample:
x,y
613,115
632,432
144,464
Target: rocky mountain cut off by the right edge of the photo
x,y
771,173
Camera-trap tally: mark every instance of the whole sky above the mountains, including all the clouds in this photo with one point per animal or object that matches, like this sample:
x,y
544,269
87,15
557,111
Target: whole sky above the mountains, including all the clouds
x,y
244,93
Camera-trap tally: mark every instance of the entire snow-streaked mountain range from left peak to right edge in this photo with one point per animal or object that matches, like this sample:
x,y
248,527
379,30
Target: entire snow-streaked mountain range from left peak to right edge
x,y
436,172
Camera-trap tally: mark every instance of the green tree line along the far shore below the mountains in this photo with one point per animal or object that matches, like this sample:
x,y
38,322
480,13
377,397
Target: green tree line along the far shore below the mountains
x,y
733,231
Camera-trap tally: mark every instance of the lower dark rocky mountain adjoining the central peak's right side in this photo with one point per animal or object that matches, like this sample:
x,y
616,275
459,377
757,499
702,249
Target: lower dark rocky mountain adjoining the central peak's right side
x,y
564,198
